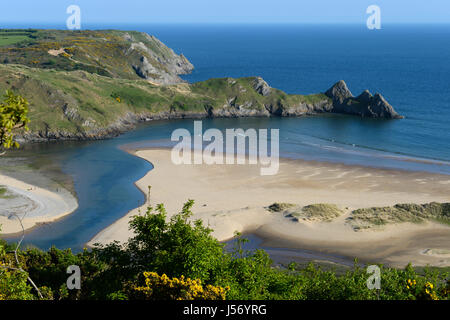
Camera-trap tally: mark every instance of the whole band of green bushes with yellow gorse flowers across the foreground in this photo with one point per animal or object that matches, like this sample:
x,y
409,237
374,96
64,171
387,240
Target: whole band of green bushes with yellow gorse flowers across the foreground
x,y
176,258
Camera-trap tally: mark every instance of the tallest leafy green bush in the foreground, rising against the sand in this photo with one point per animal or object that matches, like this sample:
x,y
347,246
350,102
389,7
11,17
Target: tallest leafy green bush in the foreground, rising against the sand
x,y
175,247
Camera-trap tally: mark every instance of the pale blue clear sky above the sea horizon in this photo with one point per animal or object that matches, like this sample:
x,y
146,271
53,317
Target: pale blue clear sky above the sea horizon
x,y
25,12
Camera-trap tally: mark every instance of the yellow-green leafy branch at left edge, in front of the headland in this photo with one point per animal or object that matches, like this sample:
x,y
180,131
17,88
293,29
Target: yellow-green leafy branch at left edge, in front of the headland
x,y
13,115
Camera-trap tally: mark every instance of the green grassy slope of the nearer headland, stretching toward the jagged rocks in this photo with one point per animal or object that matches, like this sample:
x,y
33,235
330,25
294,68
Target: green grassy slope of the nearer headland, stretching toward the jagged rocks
x,y
79,101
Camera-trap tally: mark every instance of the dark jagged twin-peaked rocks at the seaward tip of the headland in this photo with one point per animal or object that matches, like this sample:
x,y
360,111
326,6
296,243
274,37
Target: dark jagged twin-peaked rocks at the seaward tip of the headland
x,y
365,105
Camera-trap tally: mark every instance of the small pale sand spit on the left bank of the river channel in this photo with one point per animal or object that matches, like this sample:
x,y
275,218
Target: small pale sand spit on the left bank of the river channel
x,y
32,204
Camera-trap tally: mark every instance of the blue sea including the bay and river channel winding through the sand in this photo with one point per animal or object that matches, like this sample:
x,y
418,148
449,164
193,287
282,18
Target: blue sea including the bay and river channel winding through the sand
x,y
408,64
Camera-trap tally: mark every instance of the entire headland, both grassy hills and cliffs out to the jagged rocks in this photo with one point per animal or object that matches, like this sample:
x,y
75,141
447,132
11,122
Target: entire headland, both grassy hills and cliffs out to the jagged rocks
x,y
85,85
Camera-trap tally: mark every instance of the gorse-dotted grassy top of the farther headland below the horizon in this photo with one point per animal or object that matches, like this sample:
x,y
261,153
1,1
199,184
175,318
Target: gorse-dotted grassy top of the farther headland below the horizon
x,y
106,52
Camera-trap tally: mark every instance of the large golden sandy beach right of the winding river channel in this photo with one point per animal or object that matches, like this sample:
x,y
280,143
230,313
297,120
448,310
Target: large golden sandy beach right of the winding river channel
x,y
232,198
